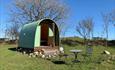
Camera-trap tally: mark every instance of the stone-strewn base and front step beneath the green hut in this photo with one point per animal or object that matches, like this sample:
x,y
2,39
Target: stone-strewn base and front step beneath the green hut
x,y
42,50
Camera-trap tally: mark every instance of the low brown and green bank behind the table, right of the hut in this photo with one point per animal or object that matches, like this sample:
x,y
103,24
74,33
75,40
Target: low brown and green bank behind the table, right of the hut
x,y
77,40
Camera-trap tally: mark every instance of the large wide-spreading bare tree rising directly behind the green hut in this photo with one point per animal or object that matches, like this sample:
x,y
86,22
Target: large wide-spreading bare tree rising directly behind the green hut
x,y
26,11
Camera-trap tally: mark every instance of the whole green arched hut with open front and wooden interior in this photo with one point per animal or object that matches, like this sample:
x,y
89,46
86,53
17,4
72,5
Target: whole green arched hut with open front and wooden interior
x,y
39,34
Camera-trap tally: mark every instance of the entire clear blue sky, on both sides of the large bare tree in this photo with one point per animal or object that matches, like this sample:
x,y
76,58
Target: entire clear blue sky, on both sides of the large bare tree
x,y
78,10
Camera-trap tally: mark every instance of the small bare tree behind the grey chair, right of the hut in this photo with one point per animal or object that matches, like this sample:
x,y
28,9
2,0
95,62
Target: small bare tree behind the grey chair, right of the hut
x,y
85,29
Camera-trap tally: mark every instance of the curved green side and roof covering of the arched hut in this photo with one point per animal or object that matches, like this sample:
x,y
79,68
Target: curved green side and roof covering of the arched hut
x,y
27,34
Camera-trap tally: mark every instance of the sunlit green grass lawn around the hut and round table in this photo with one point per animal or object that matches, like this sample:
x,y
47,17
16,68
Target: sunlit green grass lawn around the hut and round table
x,y
12,60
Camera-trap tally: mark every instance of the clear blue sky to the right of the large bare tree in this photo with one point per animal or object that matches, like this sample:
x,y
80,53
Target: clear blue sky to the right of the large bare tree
x,y
82,9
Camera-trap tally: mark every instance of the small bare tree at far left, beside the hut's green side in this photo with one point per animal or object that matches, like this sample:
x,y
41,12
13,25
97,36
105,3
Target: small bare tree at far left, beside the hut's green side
x,y
12,30
